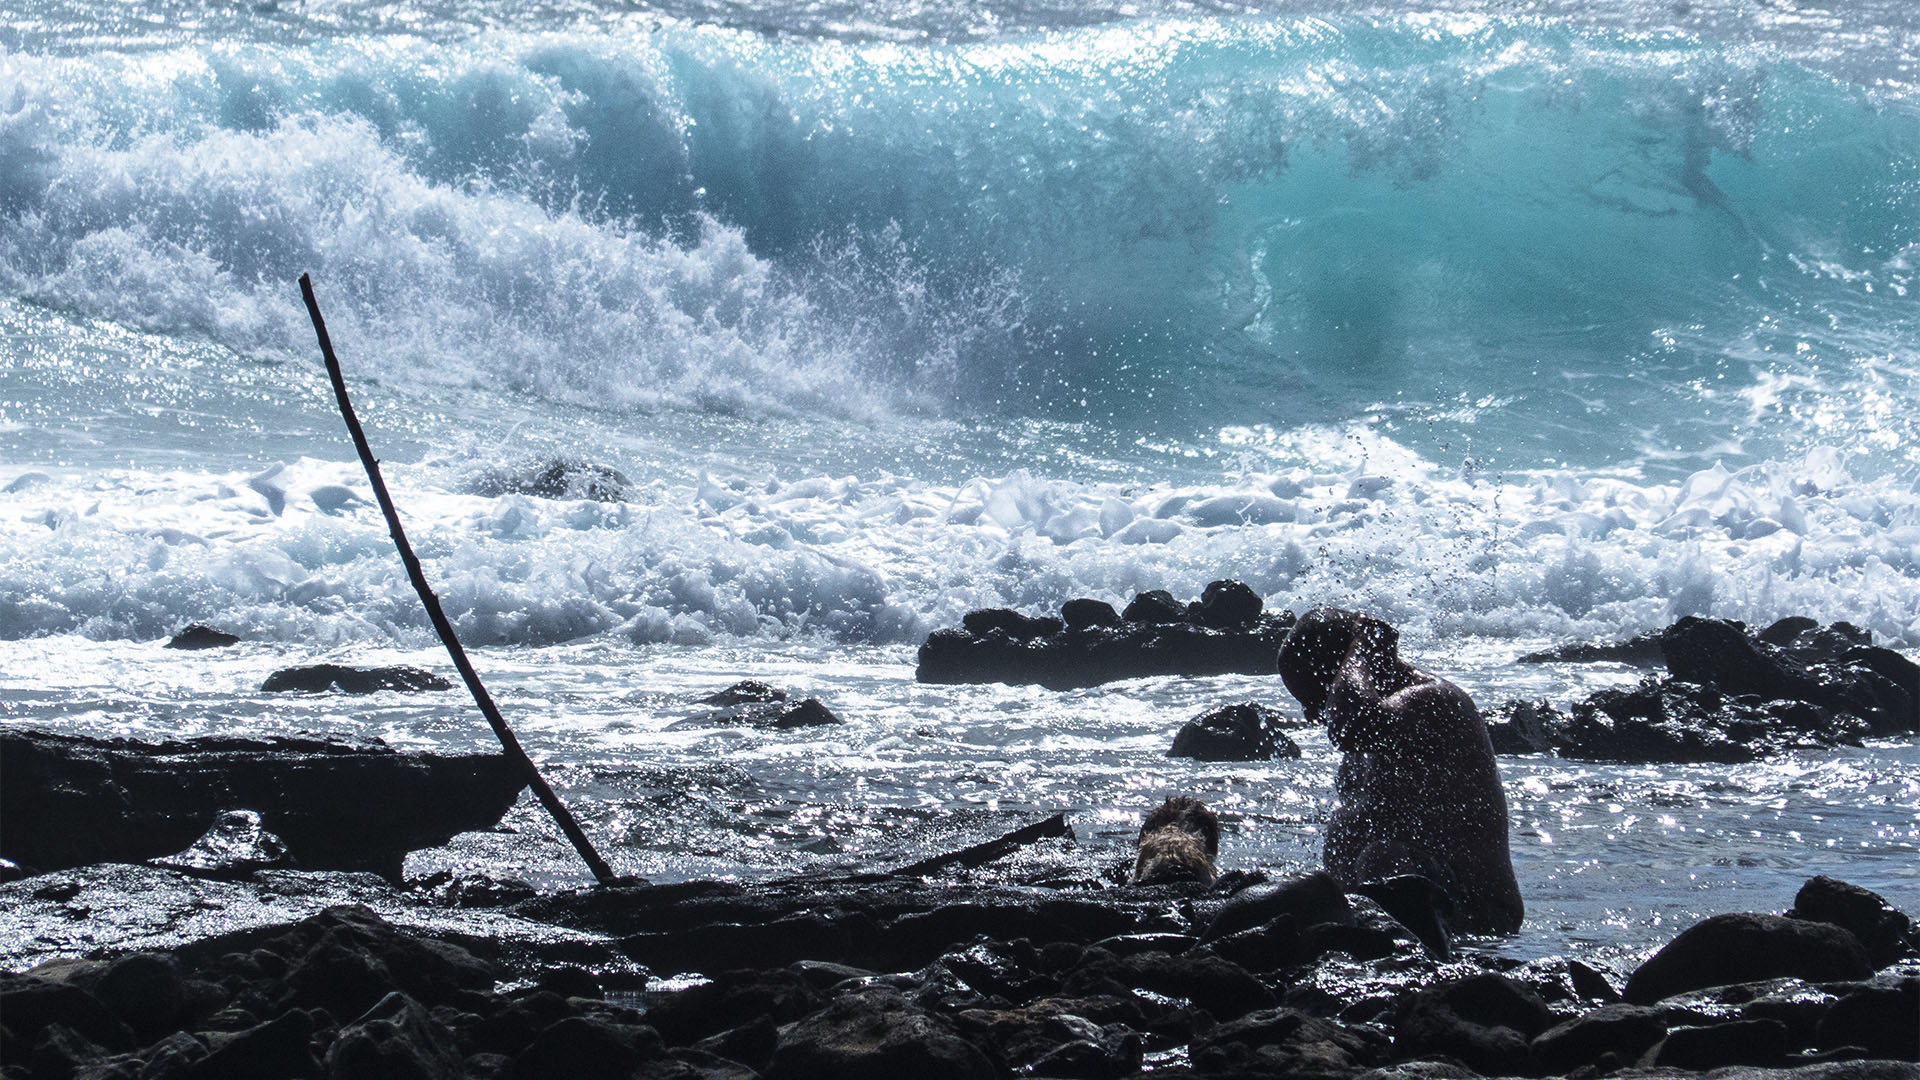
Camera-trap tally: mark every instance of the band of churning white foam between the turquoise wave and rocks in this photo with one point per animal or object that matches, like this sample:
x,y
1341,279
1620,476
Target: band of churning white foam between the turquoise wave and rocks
x,y
299,552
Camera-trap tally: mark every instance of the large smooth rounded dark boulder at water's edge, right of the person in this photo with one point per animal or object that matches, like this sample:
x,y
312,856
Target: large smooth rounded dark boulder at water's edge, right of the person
x,y
1748,948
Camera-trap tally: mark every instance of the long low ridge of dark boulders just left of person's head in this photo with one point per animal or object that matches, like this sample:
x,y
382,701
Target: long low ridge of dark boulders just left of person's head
x,y
1155,637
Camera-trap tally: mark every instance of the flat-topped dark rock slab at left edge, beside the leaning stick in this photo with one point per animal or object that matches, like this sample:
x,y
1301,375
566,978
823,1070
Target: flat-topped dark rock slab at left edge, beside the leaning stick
x,y
352,806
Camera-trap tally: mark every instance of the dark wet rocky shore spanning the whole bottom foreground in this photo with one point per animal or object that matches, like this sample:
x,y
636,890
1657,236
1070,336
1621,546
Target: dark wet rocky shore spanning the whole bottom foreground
x,y
911,977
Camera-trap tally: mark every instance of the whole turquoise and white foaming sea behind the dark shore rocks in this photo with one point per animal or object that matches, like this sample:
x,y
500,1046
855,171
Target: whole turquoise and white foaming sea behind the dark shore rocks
x,y
1512,331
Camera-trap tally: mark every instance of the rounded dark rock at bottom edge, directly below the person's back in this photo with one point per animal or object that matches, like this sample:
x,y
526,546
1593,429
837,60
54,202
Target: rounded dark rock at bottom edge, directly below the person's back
x,y
1485,1021
